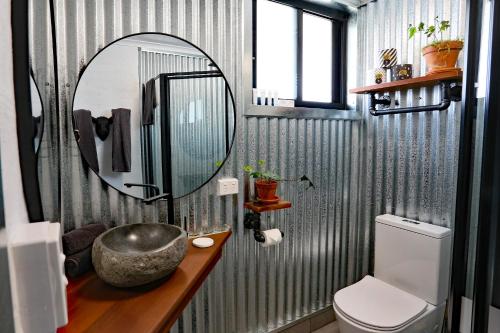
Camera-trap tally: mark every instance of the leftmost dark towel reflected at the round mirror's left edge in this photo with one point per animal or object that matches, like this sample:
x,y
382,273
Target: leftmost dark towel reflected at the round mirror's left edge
x,y
85,137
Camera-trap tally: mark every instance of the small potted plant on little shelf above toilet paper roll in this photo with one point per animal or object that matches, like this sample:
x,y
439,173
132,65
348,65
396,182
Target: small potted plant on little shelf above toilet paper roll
x,y
266,182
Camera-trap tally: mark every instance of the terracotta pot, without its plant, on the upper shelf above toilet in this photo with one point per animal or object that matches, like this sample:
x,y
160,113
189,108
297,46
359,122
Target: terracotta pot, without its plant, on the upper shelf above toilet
x,y
442,57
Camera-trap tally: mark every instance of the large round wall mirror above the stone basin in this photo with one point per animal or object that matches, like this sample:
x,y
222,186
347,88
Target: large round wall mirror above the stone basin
x,y
153,115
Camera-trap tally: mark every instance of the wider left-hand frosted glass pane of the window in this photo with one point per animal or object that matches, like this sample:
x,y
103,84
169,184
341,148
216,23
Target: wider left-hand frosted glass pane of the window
x,y
277,48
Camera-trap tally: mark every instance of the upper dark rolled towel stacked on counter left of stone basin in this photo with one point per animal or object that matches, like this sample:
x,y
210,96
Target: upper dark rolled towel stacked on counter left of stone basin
x,y
80,239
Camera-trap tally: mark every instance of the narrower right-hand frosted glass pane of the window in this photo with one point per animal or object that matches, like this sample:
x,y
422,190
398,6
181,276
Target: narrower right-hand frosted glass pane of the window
x,y
317,59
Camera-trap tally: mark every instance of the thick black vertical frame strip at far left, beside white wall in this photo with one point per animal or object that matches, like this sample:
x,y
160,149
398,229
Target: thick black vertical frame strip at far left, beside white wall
x,y
22,95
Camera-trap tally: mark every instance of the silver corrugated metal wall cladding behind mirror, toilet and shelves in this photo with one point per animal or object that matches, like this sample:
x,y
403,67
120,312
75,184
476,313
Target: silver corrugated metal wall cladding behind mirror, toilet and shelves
x,y
401,164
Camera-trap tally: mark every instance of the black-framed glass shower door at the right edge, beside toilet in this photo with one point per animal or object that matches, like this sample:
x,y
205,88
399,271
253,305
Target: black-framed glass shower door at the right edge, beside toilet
x,y
480,289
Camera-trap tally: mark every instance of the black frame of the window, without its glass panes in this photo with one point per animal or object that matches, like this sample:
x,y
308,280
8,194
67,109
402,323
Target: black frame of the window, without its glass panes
x,y
339,19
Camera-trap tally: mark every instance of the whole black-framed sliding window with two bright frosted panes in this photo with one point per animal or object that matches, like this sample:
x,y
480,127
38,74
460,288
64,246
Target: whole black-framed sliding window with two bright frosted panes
x,y
299,54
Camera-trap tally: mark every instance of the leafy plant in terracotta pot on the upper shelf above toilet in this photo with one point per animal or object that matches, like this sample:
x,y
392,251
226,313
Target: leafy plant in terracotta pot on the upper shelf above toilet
x,y
441,54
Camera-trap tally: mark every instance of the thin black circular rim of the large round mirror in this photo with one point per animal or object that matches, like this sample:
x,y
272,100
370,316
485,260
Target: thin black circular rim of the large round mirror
x,y
228,88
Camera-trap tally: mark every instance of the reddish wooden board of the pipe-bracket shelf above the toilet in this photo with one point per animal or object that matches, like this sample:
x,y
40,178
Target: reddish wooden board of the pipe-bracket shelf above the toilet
x,y
417,82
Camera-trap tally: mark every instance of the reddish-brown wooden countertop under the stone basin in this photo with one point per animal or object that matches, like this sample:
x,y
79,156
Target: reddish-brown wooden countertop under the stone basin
x,y
94,306
